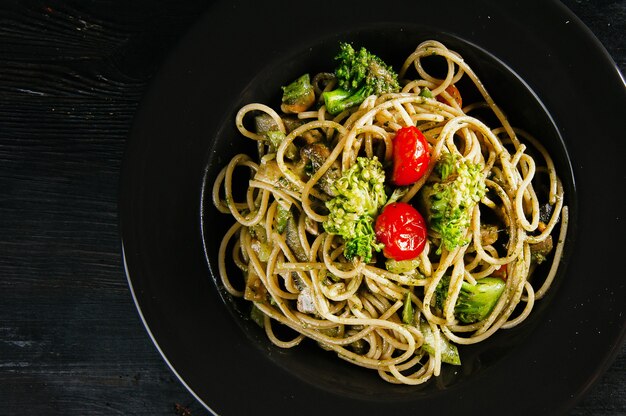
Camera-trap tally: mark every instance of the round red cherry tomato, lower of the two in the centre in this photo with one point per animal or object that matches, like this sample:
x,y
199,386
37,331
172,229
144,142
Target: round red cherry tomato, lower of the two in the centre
x,y
402,229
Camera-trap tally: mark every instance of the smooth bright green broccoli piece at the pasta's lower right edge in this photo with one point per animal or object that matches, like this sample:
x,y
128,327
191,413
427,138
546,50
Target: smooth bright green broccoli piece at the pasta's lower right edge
x,y
475,302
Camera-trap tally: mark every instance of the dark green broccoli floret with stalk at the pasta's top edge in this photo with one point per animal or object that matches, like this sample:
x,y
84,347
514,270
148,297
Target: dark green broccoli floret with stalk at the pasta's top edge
x,y
359,75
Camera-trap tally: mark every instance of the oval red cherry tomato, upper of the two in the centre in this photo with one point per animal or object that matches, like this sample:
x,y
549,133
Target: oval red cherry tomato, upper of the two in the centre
x,y
410,156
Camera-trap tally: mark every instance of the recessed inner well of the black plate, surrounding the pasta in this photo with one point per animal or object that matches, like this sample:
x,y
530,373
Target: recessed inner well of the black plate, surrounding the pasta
x,y
393,42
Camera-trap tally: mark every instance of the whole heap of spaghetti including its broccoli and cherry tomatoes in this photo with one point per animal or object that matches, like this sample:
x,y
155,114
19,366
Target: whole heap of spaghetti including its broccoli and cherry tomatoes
x,y
386,219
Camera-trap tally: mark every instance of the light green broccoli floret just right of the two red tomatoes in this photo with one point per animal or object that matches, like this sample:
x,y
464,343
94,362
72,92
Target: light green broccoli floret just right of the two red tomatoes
x,y
450,200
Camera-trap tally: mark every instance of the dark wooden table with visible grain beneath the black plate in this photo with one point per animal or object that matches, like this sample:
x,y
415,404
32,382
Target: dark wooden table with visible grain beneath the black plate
x,y
72,74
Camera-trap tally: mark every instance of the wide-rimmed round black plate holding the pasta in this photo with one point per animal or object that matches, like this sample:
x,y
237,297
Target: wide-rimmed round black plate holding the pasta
x,y
544,68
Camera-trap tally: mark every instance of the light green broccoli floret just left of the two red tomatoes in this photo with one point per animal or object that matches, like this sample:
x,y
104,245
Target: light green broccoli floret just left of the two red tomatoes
x,y
360,193
